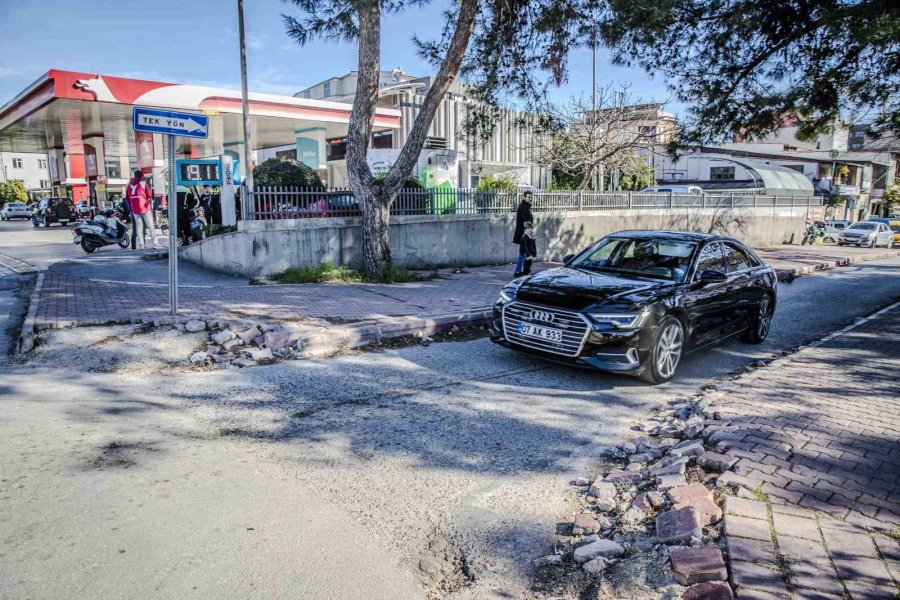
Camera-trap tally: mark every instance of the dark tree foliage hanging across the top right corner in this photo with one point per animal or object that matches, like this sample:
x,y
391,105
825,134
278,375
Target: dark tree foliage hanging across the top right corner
x,y
752,51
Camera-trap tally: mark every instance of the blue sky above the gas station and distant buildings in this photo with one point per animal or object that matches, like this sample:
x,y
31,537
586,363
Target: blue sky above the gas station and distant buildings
x,y
196,41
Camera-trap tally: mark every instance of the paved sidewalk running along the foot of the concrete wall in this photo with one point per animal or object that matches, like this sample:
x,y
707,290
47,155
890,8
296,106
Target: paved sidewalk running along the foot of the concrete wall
x,y
67,300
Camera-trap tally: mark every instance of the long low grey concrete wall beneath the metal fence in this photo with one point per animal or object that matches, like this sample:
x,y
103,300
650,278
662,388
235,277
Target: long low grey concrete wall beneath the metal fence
x,y
268,247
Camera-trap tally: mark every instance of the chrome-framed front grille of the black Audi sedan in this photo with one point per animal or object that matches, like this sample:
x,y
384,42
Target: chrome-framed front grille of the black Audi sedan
x,y
573,325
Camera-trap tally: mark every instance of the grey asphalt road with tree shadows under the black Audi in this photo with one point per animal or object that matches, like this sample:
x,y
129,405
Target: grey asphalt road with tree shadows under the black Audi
x,y
329,478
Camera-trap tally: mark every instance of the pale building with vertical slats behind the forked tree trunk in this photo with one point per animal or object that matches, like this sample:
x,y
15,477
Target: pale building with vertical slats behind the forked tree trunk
x,y
450,157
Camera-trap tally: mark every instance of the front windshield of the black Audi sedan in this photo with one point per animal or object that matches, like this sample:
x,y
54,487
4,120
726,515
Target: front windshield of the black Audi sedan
x,y
645,257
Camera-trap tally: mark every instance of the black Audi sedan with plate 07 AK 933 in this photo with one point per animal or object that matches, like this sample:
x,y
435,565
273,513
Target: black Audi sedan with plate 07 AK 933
x,y
637,301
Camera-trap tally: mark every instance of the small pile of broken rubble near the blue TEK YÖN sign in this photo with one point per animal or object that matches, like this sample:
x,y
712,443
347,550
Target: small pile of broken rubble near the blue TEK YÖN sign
x,y
241,345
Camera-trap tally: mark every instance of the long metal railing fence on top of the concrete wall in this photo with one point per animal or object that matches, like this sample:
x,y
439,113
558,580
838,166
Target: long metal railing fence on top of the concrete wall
x,y
304,203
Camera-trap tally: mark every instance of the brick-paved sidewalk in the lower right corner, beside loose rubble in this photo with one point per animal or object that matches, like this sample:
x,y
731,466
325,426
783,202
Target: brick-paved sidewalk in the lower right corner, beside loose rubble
x,y
818,441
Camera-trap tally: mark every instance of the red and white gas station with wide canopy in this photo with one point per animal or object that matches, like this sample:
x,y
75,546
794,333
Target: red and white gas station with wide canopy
x,y
83,122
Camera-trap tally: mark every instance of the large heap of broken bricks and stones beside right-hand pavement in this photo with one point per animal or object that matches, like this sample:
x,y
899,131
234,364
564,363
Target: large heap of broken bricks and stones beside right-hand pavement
x,y
658,498
